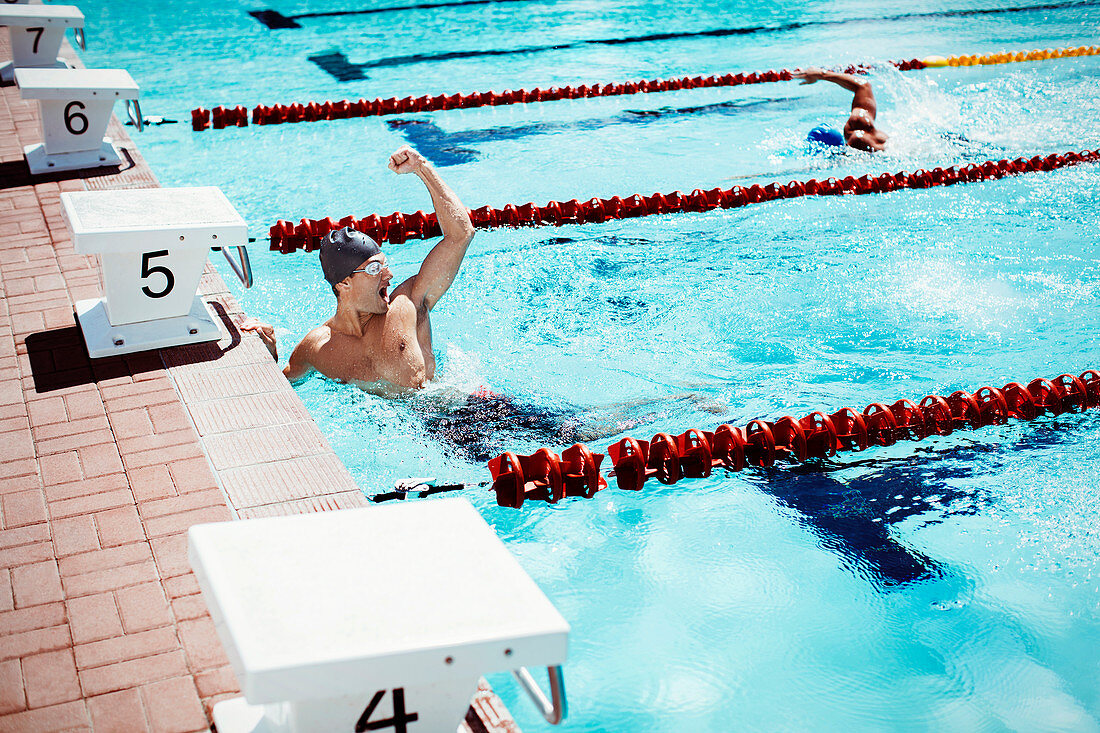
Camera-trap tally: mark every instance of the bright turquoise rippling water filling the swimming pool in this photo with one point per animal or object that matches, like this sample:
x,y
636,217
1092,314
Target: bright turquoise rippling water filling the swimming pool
x,y
948,585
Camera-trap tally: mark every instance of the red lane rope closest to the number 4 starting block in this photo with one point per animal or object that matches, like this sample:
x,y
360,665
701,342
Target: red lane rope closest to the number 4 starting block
x,y
696,454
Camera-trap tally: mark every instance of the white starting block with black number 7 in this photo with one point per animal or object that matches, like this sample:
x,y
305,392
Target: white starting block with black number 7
x,y
37,34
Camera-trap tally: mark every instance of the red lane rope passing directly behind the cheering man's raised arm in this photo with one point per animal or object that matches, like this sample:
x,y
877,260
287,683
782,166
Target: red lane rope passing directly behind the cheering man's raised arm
x,y
288,237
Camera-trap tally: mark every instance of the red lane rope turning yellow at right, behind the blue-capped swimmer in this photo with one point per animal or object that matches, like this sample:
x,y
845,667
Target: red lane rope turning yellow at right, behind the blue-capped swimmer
x,y
227,117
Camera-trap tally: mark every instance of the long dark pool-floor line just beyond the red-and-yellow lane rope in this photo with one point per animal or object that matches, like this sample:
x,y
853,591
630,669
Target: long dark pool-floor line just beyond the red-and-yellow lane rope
x,y
340,68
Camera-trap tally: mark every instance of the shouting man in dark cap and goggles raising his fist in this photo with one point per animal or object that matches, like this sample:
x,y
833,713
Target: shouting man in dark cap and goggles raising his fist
x,y
378,337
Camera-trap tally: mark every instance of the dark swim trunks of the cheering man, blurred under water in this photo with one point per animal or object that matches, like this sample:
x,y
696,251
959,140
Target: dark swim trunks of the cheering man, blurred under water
x,y
489,424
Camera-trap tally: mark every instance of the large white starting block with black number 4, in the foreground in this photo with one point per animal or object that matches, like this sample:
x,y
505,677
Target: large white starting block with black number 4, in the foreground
x,y
371,619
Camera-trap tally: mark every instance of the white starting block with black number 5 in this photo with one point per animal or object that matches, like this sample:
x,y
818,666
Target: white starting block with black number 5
x,y
152,246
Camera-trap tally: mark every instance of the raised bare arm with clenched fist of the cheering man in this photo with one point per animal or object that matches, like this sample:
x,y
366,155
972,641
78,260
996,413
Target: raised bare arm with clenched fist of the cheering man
x,y
443,264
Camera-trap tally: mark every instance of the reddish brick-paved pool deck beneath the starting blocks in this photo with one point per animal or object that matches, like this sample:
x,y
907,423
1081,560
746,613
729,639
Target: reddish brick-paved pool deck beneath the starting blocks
x,y
106,464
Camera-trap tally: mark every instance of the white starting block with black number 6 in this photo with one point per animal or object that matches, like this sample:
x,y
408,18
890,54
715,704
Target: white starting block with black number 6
x,y
75,107
